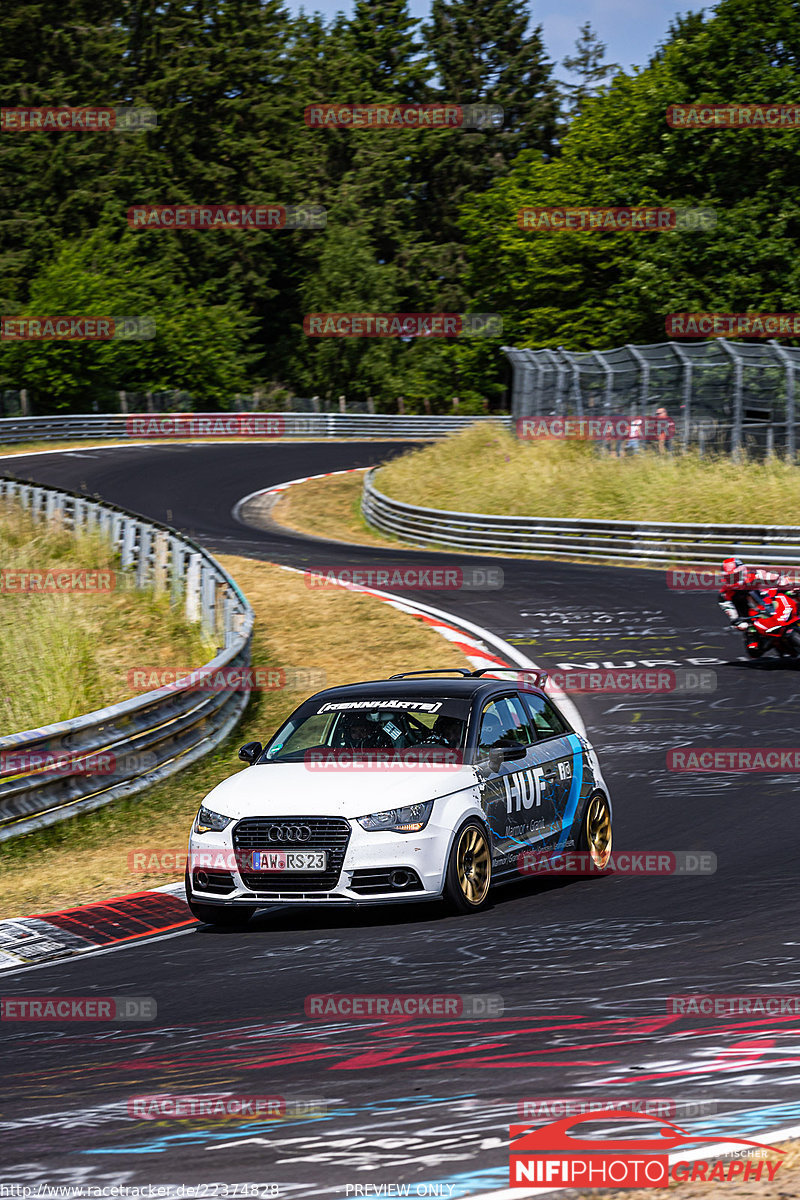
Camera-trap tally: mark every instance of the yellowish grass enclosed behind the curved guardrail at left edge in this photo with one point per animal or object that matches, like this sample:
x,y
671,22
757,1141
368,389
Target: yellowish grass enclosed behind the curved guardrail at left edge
x,y
63,655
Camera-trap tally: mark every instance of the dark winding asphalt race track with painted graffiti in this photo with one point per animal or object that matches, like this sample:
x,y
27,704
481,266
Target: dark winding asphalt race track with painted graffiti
x,y
585,967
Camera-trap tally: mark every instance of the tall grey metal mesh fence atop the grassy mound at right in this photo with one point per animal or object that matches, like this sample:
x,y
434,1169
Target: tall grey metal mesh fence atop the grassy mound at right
x,y
720,394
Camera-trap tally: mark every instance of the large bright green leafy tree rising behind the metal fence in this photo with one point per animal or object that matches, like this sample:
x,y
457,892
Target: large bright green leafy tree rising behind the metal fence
x,y
596,290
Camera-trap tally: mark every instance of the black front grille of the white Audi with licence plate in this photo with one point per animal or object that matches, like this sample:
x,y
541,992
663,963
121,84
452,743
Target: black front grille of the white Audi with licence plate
x,y
332,835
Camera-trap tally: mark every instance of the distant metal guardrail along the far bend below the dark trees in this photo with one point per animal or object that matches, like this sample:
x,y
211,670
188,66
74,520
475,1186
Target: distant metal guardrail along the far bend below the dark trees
x,y
290,425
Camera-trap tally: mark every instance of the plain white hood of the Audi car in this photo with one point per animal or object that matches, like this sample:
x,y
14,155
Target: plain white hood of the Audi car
x,y
291,789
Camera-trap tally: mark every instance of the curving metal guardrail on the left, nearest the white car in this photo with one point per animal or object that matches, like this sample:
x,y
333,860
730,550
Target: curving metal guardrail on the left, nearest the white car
x,y
145,740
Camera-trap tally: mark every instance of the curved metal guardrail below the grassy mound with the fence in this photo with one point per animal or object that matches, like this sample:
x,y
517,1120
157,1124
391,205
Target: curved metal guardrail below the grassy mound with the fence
x,y
622,542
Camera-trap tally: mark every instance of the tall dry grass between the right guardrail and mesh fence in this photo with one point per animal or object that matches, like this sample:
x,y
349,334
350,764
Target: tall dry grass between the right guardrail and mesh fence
x,y
486,470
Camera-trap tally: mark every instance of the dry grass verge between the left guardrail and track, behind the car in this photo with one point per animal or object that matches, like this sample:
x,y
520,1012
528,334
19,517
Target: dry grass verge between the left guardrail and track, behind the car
x,y
346,635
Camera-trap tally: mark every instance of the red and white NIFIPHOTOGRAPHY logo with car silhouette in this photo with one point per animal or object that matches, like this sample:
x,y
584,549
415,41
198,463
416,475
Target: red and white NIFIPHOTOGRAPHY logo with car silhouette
x,y
552,1156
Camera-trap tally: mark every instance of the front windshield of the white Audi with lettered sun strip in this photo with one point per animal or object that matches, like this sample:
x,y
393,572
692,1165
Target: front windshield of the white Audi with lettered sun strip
x,y
368,725
